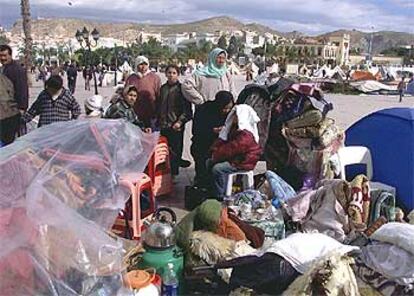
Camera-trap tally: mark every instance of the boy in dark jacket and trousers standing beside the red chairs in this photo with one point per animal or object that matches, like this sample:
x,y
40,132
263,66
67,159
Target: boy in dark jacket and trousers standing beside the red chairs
x,y
174,111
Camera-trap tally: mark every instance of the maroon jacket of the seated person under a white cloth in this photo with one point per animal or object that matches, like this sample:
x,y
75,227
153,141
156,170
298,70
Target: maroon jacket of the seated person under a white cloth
x,y
241,150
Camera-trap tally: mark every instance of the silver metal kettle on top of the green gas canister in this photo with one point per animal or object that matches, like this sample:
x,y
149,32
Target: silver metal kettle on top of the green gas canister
x,y
160,232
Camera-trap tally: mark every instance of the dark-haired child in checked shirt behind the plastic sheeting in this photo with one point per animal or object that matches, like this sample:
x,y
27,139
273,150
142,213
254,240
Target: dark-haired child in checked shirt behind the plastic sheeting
x,y
53,104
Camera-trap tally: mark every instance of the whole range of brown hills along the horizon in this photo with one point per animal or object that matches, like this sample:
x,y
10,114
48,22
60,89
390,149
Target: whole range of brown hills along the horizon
x,y
66,27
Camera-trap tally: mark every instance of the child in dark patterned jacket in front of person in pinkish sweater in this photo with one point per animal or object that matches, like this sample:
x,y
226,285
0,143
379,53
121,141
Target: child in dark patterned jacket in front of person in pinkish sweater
x,y
123,108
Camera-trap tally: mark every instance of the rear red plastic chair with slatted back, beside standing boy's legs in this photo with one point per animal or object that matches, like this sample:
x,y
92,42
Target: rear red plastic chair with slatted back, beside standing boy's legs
x,y
159,169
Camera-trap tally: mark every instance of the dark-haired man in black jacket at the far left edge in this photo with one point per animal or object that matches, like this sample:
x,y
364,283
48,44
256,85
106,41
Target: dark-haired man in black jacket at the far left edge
x,y
17,75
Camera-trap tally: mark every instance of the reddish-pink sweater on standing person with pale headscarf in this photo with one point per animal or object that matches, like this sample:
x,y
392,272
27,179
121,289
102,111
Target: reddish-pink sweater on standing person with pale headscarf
x,y
148,90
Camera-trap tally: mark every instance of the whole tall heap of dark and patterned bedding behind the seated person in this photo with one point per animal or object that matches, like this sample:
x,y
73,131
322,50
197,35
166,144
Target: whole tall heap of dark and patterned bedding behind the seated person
x,y
297,136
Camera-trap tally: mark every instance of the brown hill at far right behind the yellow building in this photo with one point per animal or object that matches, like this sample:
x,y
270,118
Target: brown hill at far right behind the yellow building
x,y
380,40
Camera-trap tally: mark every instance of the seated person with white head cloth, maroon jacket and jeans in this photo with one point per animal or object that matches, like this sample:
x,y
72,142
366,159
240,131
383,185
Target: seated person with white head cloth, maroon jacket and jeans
x,y
237,148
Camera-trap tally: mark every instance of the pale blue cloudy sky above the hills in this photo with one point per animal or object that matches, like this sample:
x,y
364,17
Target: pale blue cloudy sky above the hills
x,y
307,16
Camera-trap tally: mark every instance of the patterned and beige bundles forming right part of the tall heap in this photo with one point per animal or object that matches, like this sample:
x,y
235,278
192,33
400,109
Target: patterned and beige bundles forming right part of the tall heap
x,y
311,136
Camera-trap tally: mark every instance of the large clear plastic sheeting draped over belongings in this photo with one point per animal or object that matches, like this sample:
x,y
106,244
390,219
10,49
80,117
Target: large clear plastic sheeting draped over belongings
x,y
59,196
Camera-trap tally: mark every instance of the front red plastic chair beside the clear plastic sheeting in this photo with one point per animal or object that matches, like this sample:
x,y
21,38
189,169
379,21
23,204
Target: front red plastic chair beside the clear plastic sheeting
x,y
130,222
